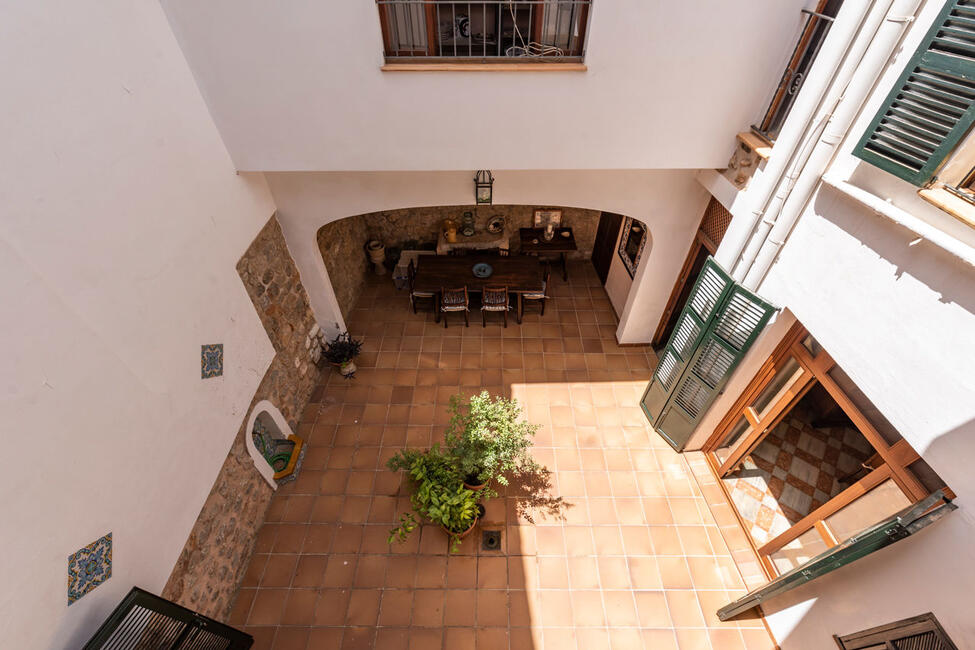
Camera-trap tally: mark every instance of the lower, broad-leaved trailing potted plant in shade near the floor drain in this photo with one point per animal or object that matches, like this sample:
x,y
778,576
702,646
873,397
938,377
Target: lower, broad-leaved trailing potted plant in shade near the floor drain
x,y
438,495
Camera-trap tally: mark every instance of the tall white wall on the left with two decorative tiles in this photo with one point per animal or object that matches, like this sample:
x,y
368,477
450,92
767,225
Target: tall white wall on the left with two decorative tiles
x,y
121,224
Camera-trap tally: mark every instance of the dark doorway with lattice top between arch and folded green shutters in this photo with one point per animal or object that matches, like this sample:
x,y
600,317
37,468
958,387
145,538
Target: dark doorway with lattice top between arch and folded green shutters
x,y
709,234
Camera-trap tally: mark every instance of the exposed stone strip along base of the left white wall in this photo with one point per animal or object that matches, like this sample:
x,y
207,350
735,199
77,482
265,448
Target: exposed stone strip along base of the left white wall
x,y
209,570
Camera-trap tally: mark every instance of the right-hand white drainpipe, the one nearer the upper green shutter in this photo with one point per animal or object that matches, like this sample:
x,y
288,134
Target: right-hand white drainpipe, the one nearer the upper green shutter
x,y
866,71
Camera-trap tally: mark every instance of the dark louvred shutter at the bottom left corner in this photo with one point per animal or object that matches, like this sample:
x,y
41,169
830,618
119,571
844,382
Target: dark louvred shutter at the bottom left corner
x,y
143,621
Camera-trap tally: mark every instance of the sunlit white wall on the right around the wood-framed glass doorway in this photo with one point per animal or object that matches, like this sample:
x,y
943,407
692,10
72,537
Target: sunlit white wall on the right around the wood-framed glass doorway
x,y
899,319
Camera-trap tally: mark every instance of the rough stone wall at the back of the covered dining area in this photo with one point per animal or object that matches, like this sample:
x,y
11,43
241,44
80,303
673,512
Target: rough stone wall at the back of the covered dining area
x,y
342,242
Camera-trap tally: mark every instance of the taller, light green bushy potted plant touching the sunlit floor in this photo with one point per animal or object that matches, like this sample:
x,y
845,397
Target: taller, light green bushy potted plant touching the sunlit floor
x,y
488,438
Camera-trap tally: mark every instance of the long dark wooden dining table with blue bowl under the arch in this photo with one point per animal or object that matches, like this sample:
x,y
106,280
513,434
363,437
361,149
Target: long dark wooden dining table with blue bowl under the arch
x,y
520,275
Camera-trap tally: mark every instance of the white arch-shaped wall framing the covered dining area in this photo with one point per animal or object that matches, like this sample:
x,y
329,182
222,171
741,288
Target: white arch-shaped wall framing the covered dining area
x,y
668,202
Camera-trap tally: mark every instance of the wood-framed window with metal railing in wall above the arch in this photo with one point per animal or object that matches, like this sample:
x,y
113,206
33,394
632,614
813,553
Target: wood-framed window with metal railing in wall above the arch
x,y
502,30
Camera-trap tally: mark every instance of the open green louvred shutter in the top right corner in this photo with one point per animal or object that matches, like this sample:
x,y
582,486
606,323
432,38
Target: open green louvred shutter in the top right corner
x,y
930,108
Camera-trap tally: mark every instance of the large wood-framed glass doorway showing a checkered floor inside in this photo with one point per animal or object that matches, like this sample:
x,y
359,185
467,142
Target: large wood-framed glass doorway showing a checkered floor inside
x,y
807,461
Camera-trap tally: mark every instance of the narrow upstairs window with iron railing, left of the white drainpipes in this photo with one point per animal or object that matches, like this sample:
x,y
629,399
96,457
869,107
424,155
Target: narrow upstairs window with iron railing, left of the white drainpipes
x,y
797,69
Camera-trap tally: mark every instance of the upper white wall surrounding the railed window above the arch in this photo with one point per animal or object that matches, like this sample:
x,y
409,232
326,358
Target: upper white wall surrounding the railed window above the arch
x,y
299,88
